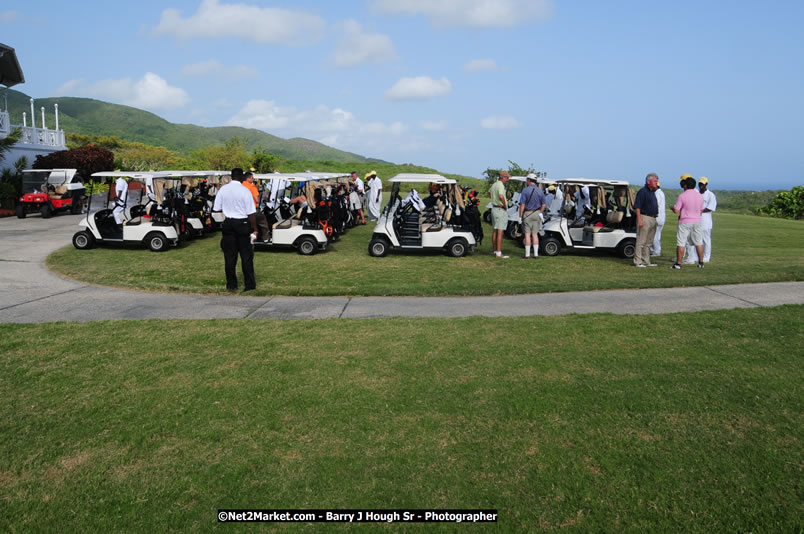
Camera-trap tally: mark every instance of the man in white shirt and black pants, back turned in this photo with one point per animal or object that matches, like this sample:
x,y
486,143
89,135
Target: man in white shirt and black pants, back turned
x,y
239,230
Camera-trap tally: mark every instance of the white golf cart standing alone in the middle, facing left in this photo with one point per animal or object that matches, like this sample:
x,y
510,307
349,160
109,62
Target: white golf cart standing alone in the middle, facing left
x,y
406,223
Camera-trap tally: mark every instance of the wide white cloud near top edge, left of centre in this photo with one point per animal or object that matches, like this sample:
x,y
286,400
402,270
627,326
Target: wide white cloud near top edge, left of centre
x,y
266,25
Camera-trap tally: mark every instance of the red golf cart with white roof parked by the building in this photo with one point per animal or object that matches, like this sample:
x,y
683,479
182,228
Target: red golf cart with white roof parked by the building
x,y
49,191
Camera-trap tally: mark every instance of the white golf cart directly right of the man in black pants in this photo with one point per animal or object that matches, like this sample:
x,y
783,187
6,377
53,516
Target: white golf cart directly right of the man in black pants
x,y
292,224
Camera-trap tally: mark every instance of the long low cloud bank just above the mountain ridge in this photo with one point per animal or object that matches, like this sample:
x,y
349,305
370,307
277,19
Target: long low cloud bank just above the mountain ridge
x,y
334,127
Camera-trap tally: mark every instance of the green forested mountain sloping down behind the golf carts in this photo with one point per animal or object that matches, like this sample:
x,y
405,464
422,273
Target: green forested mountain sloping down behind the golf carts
x,y
94,117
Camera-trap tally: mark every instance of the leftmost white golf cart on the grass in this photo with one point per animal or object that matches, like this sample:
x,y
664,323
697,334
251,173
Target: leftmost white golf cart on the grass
x,y
157,231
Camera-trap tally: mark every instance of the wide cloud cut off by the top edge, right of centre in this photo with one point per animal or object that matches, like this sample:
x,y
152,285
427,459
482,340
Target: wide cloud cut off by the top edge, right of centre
x,y
476,13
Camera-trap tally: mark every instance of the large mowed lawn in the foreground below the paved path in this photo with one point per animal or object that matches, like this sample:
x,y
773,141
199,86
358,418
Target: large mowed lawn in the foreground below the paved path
x,y
668,423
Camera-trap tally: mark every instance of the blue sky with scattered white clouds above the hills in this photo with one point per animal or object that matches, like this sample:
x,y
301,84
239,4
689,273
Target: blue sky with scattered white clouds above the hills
x,y
605,89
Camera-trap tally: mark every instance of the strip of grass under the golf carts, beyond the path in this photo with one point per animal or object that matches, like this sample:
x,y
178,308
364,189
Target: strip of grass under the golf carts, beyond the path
x,y
746,249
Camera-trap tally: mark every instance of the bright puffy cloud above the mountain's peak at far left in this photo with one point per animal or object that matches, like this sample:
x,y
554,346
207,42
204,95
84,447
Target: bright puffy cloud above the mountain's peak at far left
x,y
150,92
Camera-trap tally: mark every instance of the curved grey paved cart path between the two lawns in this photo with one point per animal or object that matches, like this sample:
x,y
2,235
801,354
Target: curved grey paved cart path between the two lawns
x,y
30,293
